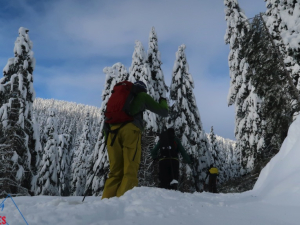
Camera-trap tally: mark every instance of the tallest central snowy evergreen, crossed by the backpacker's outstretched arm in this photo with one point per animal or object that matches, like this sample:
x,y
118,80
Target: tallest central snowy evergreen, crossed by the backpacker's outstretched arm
x,y
153,123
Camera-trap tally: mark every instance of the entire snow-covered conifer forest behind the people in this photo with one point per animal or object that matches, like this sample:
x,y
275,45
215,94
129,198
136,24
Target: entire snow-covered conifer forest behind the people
x,y
57,148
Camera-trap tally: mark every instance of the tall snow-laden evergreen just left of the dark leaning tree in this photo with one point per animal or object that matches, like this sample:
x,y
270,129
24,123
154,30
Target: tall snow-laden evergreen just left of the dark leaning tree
x,y
249,122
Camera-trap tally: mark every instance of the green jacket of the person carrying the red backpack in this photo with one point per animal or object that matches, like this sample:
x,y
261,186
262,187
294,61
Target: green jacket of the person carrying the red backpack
x,y
143,102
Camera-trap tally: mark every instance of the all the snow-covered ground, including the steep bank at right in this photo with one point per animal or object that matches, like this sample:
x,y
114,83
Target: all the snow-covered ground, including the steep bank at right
x,y
274,200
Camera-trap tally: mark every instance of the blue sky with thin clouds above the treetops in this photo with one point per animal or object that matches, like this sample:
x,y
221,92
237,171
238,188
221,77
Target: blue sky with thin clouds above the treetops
x,y
74,40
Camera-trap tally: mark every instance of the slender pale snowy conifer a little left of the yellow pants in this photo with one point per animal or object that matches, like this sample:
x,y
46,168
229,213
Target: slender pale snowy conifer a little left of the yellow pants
x,y
80,163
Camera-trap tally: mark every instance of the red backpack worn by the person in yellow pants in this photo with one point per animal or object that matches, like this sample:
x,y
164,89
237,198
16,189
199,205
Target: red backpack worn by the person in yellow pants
x,y
117,107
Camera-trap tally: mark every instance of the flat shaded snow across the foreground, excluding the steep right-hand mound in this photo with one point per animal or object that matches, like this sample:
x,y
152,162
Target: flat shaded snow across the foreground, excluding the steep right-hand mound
x,y
148,206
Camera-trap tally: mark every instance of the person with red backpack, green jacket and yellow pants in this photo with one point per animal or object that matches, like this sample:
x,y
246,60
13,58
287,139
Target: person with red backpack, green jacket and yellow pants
x,y
124,115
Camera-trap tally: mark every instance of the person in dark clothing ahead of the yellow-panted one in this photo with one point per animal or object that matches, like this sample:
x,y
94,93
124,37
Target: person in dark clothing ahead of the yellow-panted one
x,y
168,147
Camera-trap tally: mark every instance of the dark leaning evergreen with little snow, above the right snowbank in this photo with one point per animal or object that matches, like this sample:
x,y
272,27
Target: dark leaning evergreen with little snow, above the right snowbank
x,y
273,84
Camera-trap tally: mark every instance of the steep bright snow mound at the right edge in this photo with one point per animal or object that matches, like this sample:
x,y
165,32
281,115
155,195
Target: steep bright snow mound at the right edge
x,y
280,179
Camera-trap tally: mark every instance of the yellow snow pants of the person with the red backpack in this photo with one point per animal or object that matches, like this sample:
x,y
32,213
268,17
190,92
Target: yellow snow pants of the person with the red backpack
x,y
124,159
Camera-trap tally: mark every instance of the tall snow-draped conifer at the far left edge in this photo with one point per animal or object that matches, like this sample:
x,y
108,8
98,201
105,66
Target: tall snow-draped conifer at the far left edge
x,y
17,96
